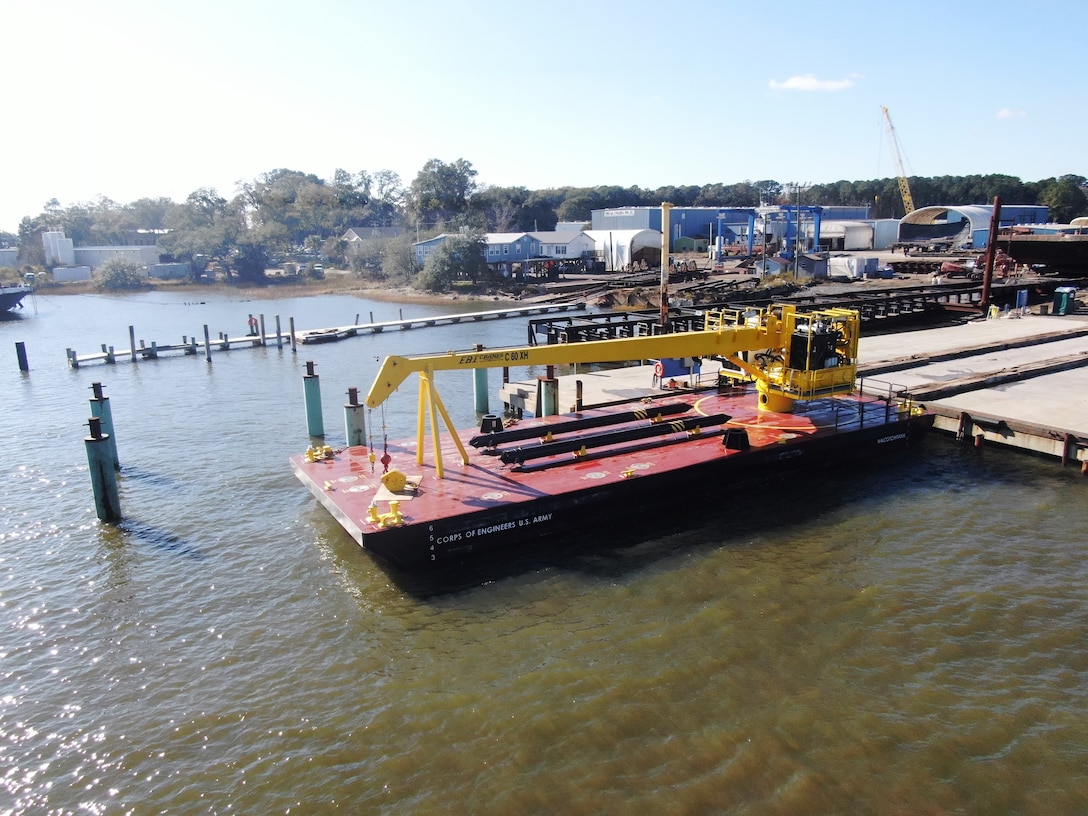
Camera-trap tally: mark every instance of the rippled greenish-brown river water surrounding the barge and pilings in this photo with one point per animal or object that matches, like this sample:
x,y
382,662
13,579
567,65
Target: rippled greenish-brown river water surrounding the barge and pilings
x,y
909,639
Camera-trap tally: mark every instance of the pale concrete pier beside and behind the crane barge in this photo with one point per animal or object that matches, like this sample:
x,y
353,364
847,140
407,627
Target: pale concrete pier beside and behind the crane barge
x,y
1016,381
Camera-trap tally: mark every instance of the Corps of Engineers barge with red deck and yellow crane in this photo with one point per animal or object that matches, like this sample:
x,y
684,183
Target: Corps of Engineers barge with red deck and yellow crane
x,y
786,404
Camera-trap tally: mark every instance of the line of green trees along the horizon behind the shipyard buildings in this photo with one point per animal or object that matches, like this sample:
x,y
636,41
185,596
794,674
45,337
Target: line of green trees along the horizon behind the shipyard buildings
x,y
289,215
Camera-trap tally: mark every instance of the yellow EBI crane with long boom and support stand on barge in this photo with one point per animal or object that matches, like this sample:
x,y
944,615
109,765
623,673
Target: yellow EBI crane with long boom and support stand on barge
x,y
795,356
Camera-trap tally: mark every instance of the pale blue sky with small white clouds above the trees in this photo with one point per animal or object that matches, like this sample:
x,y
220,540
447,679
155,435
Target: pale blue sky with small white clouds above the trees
x,y
131,100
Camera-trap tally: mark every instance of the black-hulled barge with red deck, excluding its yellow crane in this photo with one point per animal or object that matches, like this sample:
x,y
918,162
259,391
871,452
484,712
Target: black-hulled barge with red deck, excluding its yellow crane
x,y
488,503
